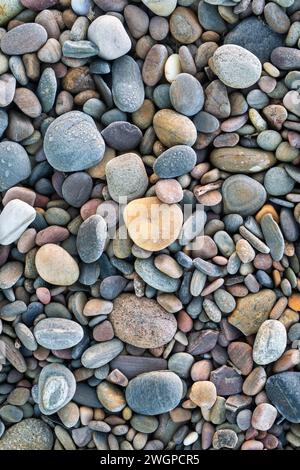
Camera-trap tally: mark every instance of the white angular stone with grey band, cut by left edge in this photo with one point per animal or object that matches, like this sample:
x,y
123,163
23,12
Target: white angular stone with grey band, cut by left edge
x,y
14,219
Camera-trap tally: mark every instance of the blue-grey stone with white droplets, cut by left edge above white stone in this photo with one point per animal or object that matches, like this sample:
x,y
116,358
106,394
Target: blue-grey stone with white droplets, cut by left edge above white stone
x,y
15,165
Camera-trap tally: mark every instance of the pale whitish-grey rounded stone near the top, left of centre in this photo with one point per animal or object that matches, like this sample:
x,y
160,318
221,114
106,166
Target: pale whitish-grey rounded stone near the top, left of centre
x,y
110,36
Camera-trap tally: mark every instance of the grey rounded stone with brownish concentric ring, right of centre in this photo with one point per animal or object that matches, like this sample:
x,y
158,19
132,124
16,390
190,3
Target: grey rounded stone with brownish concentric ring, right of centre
x,y
242,195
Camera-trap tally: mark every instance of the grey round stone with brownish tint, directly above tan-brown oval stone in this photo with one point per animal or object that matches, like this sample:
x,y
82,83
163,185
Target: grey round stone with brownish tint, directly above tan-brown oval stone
x,y
186,94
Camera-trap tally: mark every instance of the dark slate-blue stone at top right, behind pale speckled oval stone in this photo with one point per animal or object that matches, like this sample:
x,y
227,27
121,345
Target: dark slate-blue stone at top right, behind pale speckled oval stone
x,y
255,36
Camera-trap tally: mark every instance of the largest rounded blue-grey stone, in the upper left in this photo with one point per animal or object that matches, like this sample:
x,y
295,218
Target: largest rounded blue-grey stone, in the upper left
x,y
73,143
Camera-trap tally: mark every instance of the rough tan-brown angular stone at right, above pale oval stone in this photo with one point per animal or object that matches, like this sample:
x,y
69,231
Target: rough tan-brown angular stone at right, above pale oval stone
x,y
251,311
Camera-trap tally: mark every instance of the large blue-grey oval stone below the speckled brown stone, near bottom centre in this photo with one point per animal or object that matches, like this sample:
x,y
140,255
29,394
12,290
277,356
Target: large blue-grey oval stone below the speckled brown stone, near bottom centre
x,y
154,392
